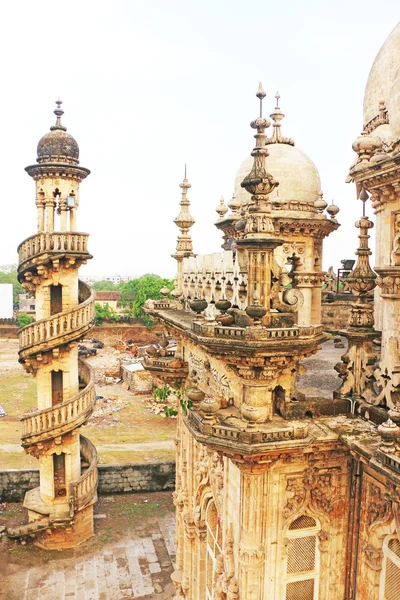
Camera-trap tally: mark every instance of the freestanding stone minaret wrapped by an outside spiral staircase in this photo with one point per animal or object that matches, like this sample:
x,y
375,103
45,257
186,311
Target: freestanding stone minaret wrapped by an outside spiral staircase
x,y
61,509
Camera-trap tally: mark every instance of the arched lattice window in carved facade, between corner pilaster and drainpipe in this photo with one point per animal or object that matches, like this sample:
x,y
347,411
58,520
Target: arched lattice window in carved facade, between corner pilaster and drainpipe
x,y
302,562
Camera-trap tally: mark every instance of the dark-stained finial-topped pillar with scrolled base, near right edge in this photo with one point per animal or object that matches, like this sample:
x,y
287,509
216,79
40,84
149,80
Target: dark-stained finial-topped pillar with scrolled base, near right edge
x,y
357,368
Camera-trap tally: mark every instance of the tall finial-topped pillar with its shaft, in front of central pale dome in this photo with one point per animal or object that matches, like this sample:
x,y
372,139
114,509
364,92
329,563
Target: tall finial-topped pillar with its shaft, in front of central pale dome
x,y
259,240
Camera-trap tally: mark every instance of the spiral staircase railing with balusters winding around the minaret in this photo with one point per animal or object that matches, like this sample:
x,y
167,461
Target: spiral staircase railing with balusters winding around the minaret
x,y
36,254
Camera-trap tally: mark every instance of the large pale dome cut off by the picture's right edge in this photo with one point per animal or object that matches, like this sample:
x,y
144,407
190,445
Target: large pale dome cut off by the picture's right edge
x,y
380,88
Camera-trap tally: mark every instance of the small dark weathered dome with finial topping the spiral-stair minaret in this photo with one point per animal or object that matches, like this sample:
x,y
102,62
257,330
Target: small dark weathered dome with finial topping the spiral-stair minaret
x,y
58,146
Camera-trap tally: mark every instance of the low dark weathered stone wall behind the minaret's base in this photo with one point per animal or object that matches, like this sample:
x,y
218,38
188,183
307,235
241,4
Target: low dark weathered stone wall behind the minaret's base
x,y
113,479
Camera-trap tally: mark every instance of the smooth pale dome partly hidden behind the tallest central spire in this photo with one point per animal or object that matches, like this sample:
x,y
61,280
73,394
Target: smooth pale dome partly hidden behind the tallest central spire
x,y
297,175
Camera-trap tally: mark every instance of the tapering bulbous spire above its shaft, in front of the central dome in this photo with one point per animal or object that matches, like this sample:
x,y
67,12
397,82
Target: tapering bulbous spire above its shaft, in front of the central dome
x,y
259,183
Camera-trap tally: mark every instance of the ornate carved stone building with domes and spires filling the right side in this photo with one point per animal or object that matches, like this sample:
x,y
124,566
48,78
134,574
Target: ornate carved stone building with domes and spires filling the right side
x,y
270,502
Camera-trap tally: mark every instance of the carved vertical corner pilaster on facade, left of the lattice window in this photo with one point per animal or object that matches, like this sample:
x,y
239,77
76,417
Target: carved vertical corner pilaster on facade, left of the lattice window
x,y
252,532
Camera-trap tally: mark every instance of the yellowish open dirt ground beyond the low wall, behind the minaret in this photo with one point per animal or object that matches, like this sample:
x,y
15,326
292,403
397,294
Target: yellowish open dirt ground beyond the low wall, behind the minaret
x,y
123,427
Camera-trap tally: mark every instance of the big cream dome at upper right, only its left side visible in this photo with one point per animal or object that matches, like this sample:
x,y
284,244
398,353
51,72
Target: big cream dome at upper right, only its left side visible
x,y
382,76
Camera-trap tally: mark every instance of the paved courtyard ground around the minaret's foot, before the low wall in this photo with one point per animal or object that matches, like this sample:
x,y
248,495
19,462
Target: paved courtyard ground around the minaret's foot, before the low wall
x,y
130,556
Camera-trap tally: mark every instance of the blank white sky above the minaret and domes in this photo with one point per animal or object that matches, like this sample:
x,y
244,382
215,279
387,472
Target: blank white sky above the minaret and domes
x,y
149,85
